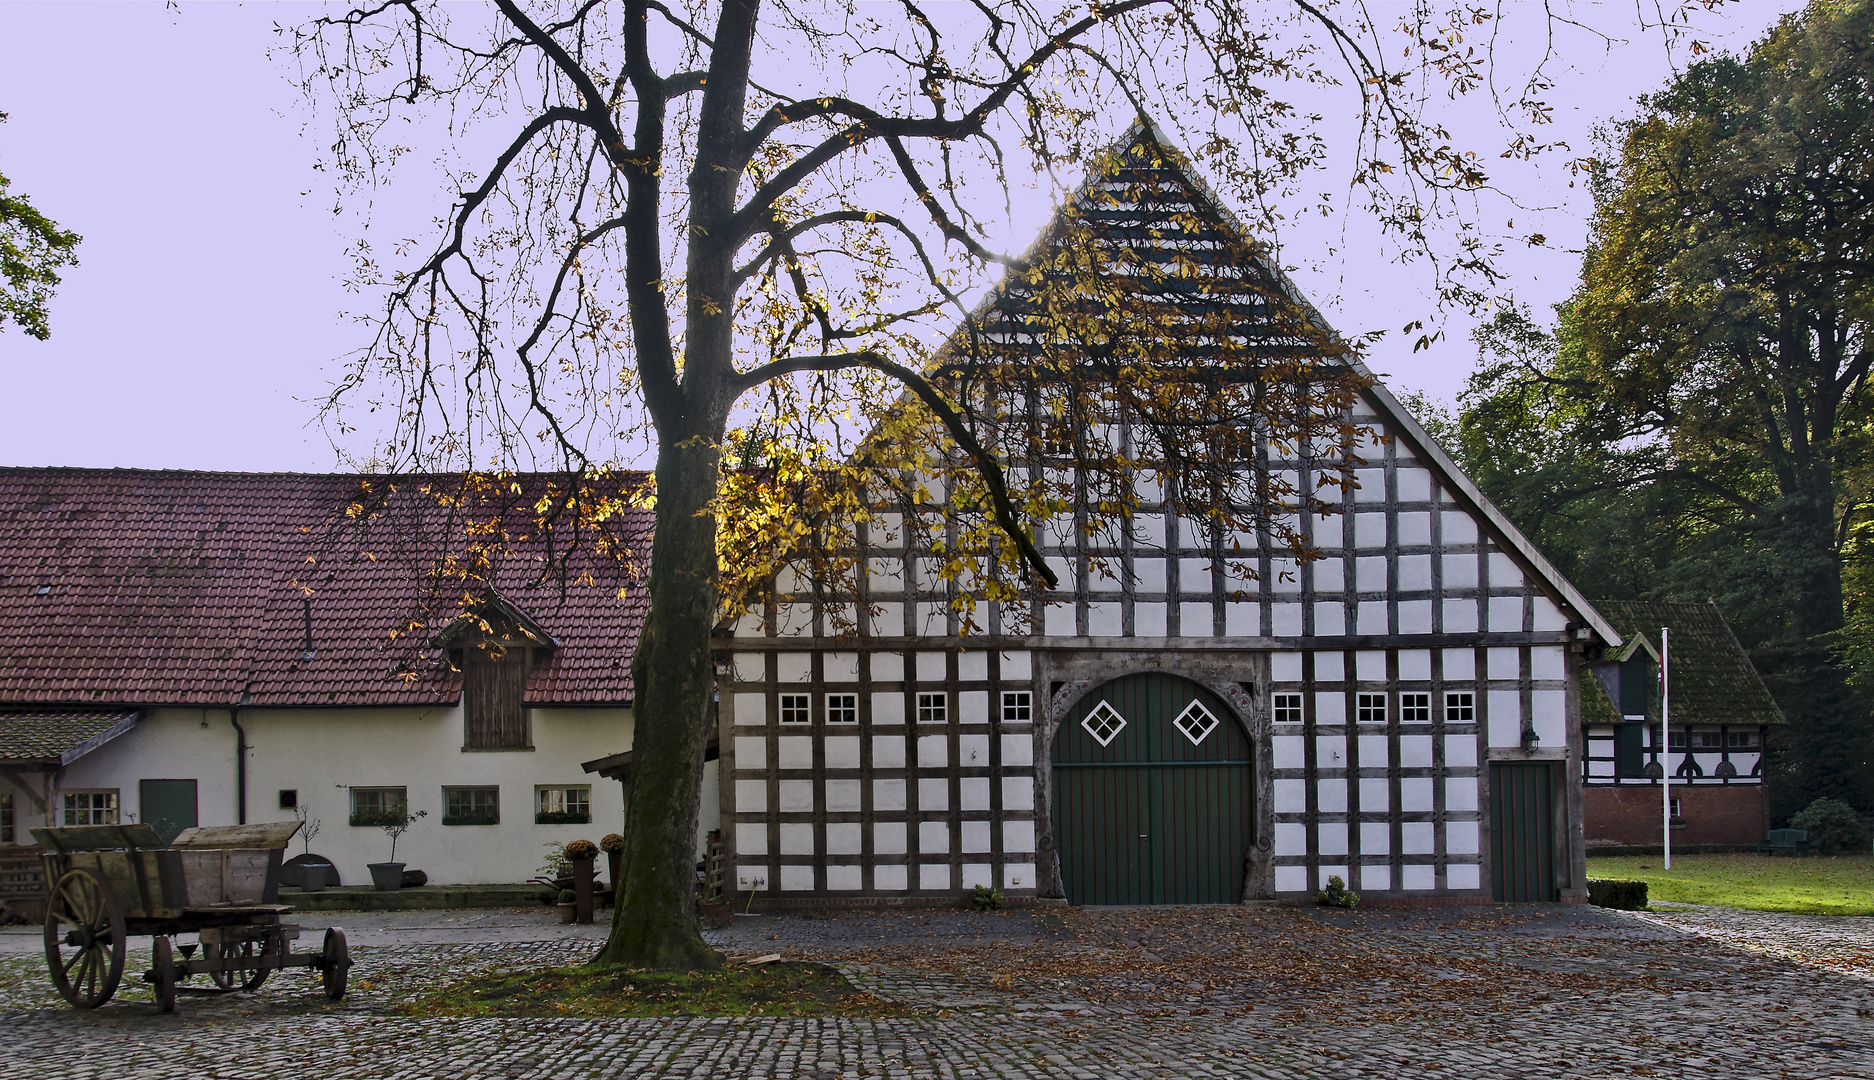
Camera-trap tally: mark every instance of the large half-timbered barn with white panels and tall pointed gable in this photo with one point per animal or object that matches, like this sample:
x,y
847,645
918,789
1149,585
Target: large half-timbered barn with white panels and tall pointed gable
x,y
1172,727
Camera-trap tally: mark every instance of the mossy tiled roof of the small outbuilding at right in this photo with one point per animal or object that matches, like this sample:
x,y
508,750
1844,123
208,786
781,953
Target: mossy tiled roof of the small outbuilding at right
x,y
1712,674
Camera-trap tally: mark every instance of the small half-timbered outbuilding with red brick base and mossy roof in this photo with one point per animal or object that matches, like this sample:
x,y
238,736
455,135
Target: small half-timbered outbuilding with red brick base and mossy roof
x,y
1714,753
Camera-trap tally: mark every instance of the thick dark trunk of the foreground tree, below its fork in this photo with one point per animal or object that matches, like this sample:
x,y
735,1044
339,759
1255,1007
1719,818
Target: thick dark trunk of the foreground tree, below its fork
x,y
655,920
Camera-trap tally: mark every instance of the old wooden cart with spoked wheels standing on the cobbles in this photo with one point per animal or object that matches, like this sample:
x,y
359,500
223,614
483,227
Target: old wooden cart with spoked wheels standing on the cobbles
x,y
112,882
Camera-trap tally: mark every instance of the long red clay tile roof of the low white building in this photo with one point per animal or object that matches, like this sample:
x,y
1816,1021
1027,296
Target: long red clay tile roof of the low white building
x,y
168,588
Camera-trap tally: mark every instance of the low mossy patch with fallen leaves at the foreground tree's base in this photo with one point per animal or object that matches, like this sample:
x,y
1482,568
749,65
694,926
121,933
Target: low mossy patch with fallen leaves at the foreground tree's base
x,y
784,989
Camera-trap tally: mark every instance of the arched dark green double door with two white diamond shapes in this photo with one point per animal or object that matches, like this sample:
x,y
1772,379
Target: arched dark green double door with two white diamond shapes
x,y
1153,796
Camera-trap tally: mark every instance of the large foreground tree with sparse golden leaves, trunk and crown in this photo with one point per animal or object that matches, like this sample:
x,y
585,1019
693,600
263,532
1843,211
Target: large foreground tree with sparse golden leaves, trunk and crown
x,y
737,233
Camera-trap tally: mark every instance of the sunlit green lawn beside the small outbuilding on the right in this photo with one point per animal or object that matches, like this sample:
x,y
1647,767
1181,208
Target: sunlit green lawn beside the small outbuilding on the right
x,y
1809,886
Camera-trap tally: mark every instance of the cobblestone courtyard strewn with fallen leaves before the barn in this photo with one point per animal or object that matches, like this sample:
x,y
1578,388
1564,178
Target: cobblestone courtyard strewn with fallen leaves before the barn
x,y
1073,993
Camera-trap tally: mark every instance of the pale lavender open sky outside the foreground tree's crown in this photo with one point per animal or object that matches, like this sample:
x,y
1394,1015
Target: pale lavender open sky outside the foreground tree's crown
x,y
203,323
